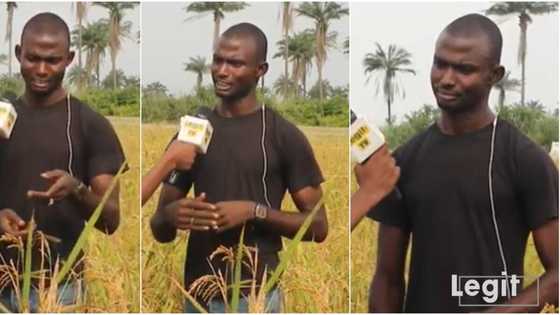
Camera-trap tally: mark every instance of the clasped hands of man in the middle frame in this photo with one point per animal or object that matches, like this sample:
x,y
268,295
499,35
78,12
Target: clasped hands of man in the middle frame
x,y
199,215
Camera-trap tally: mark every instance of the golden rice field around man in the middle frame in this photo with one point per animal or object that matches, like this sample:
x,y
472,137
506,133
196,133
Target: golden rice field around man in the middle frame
x,y
316,279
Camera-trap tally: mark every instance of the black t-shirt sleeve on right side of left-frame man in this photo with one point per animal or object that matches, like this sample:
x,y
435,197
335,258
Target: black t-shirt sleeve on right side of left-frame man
x,y
105,153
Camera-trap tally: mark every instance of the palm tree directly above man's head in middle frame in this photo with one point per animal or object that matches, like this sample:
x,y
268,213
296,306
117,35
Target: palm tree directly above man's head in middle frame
x,y
217,9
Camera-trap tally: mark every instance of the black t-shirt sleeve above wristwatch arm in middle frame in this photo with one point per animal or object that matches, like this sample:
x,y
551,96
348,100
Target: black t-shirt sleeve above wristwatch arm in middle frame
x,y
301,167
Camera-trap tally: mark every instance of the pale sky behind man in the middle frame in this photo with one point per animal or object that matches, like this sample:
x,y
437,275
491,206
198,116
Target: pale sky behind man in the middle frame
x,y
168,43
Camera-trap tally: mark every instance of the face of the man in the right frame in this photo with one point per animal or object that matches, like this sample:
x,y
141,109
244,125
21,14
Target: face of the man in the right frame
x,y
462,72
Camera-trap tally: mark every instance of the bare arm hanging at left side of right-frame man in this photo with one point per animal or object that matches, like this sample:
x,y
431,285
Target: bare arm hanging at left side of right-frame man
x,y
386,294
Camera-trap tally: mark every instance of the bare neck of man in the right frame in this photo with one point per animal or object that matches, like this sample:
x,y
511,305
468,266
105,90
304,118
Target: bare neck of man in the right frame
x,y
465,122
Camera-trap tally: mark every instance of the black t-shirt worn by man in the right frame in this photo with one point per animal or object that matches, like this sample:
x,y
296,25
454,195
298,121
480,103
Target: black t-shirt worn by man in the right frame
x,y
446,206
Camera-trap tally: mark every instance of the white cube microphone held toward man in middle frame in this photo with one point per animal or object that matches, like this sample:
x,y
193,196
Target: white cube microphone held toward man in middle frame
x,y
196,131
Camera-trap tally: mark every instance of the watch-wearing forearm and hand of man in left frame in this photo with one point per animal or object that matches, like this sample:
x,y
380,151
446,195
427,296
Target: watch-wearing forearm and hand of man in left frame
x,y
64,185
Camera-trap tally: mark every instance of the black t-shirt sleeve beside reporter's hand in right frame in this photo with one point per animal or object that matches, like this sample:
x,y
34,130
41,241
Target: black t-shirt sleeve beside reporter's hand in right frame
x,y
392,209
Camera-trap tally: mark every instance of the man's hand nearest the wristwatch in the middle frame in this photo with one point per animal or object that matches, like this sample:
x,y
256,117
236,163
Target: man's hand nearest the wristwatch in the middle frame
x,y
234,213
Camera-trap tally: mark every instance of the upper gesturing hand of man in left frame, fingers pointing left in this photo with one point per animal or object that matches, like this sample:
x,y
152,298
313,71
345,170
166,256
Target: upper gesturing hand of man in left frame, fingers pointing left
x,y
62,184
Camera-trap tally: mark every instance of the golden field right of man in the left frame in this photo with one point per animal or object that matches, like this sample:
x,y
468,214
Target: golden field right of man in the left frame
x,y
113,262
